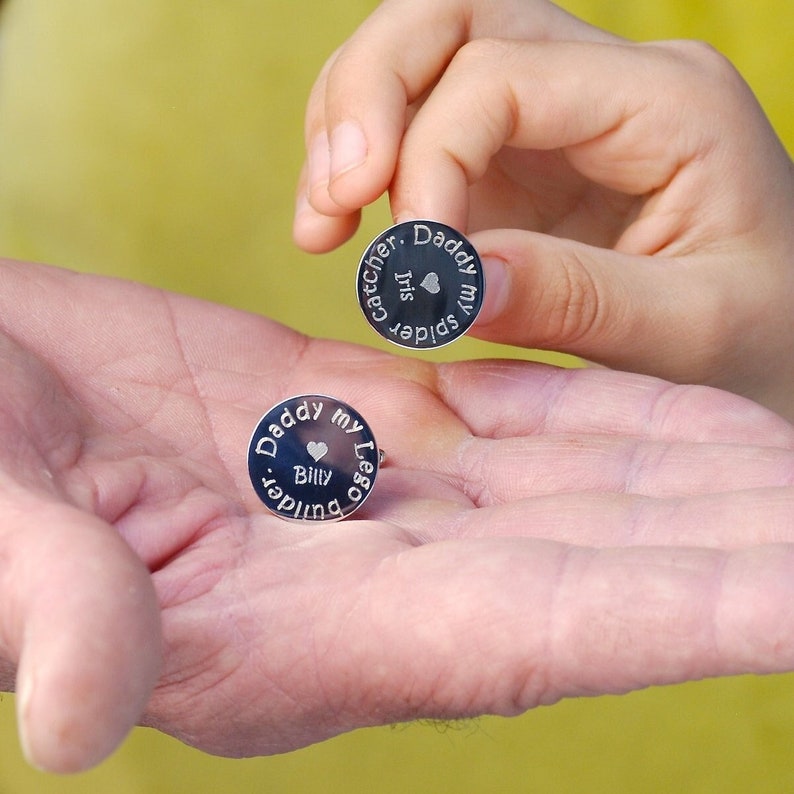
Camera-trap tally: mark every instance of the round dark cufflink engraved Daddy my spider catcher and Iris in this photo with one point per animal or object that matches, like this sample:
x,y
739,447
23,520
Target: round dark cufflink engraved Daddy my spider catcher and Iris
x,y
420,284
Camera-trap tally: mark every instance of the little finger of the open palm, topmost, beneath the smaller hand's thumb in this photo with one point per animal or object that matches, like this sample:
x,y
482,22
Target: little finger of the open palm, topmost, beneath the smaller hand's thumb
x,y
500,399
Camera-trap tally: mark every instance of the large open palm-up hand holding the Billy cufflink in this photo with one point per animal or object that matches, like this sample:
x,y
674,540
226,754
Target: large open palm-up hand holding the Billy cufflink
x,y
535,533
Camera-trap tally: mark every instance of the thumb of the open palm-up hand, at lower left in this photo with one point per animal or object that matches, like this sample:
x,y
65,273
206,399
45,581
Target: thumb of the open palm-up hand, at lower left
x,y
81,621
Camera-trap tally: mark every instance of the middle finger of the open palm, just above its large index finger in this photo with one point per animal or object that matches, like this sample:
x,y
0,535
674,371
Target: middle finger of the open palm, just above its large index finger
x,y
725,520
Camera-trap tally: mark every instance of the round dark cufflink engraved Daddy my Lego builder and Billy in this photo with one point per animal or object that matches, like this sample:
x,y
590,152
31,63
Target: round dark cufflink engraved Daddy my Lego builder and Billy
x,y
313,458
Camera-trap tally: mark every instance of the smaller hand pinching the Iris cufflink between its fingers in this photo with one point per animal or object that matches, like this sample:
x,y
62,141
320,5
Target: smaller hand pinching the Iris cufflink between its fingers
x,y
637,203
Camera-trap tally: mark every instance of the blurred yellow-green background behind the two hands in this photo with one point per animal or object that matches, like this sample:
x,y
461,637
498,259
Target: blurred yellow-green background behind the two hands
x,y
160,140
